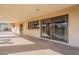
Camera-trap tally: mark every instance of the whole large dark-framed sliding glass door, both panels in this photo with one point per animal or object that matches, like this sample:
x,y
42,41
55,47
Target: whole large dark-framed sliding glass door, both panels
x,y
55,28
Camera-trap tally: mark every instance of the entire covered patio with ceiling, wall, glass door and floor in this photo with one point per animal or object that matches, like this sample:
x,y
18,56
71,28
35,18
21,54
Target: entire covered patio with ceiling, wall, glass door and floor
x,y
49,29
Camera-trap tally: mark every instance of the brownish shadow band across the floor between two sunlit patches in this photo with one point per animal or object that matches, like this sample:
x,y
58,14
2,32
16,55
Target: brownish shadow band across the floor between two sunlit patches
x,y
20,48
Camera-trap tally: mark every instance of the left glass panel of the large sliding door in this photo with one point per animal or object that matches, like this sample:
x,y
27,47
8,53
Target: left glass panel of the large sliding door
x,y
45,29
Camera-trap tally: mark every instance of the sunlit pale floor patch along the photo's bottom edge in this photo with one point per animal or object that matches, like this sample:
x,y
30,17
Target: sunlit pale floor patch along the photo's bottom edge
x,y
38,52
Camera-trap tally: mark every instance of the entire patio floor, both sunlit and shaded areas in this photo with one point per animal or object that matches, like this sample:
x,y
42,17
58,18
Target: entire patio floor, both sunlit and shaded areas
x,y
27,45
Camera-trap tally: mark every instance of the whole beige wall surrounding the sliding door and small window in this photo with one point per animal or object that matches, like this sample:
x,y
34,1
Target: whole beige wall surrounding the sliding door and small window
x,y
73,30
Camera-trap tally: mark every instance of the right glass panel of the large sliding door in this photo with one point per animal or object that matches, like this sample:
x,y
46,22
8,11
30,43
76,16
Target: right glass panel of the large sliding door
x,y
59,28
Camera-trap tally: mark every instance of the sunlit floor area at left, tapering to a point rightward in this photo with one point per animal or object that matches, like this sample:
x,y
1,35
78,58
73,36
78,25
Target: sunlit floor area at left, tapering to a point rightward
x,y
14,40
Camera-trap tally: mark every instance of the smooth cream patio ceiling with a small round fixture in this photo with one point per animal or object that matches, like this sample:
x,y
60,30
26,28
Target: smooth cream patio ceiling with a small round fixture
x,y
9,13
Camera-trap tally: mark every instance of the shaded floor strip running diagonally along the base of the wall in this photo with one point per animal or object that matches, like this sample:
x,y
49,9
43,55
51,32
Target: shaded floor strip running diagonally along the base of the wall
x,y
61,48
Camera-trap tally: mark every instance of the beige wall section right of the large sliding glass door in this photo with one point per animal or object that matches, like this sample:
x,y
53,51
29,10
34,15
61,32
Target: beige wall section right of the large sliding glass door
x,y
74,26
